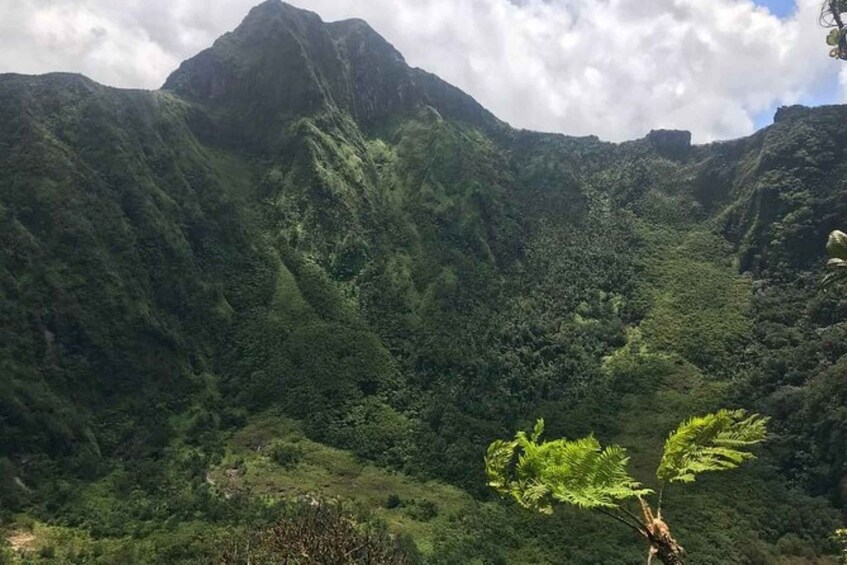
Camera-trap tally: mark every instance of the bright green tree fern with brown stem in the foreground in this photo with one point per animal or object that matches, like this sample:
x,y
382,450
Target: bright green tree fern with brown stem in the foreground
x,y
538,474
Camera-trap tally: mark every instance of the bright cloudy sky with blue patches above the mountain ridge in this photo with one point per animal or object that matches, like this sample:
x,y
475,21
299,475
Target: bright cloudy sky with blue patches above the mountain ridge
x,y
615,68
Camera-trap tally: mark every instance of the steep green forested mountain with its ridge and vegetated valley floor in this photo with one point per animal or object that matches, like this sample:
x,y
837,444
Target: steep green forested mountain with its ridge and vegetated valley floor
x,y
301,245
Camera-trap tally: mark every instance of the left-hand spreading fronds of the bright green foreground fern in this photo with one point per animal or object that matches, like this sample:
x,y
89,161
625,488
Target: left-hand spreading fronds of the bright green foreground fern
x,y
579,472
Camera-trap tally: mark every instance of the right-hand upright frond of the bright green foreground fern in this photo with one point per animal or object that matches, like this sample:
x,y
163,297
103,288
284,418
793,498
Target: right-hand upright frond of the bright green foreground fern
x,y
715,442
